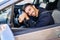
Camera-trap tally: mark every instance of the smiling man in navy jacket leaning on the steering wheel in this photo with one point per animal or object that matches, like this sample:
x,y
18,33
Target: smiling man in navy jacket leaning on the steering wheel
x,y
37,14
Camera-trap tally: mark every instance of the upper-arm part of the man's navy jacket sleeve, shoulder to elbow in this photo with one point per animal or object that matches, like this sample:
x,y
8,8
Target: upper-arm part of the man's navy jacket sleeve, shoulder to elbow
x,y
44,20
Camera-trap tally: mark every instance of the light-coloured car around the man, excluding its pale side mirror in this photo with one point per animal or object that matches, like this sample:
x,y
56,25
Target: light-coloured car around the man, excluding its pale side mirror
x,y
50,32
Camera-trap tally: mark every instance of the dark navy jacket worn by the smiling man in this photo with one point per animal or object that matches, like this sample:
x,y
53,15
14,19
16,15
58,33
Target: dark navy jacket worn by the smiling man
x,y
44,19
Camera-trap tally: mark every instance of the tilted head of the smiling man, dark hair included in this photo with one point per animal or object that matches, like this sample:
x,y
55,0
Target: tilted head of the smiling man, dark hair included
x,y
30,9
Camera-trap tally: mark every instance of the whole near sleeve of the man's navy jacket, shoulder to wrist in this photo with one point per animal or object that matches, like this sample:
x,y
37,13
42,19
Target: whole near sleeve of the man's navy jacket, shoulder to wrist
x,y
44,20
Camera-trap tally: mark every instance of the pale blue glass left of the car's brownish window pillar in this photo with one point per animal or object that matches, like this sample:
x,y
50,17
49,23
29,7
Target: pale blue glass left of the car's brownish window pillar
x,y
4,15
